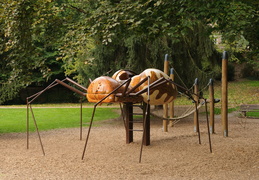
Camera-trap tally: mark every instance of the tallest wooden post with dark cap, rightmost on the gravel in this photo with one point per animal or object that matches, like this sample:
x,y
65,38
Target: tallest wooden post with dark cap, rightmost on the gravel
x,y
224,95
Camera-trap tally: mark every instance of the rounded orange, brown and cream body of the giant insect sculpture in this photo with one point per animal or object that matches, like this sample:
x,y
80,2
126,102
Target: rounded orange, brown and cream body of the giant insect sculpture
x,y
133,89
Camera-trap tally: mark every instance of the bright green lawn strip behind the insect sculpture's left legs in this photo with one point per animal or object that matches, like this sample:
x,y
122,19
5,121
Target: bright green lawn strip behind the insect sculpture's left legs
x,y
14,119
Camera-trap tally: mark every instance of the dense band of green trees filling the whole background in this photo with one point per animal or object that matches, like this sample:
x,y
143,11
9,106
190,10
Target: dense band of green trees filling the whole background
x,y
42,40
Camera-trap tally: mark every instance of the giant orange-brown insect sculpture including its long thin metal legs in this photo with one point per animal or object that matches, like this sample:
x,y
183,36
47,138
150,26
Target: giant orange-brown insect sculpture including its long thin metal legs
x,y
152,86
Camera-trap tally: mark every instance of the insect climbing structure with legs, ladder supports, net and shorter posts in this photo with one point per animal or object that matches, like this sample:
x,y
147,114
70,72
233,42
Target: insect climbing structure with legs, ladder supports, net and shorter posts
x,y
151,87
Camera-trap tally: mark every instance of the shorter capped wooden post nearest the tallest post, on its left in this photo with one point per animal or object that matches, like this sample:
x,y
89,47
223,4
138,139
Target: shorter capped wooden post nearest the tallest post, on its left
x,y
212,113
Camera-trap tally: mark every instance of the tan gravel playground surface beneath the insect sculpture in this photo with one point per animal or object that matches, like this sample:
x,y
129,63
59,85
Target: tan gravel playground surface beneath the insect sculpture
x,y
172,155
